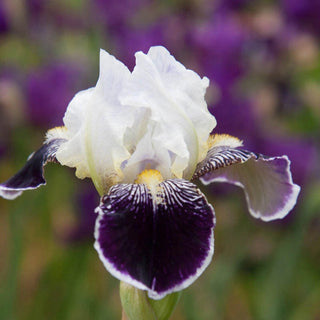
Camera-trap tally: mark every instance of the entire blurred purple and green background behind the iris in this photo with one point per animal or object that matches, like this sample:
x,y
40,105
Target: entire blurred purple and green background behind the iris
x,y
263,61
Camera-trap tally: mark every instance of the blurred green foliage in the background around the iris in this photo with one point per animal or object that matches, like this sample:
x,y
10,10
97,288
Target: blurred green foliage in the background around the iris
x,y
260,271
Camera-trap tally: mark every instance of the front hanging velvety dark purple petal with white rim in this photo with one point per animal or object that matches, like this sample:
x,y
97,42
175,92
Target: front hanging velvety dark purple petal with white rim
x,y
160,243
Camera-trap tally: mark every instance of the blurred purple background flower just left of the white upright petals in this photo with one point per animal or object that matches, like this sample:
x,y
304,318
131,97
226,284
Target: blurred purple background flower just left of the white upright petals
x,y
49,90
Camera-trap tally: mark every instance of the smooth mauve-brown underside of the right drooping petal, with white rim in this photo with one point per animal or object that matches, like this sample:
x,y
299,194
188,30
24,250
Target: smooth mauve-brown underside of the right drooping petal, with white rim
x,y
267,183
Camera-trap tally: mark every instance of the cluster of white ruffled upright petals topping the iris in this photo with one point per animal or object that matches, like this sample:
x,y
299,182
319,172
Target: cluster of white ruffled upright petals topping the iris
x,y
155,117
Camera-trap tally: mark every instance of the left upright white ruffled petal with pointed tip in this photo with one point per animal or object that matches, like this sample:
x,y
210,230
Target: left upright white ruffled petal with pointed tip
x,y
97,123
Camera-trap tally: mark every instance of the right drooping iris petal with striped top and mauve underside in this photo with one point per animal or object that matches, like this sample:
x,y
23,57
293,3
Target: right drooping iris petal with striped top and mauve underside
x,y
267,182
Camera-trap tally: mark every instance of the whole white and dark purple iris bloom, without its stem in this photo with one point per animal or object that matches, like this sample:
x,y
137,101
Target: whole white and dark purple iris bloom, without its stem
x,y
144,137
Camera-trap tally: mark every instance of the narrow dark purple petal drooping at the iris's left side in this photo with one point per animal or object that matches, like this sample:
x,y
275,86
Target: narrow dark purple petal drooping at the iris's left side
x,y
31,175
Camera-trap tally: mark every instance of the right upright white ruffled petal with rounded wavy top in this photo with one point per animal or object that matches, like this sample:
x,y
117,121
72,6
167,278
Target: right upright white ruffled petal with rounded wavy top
x,y
180,122
